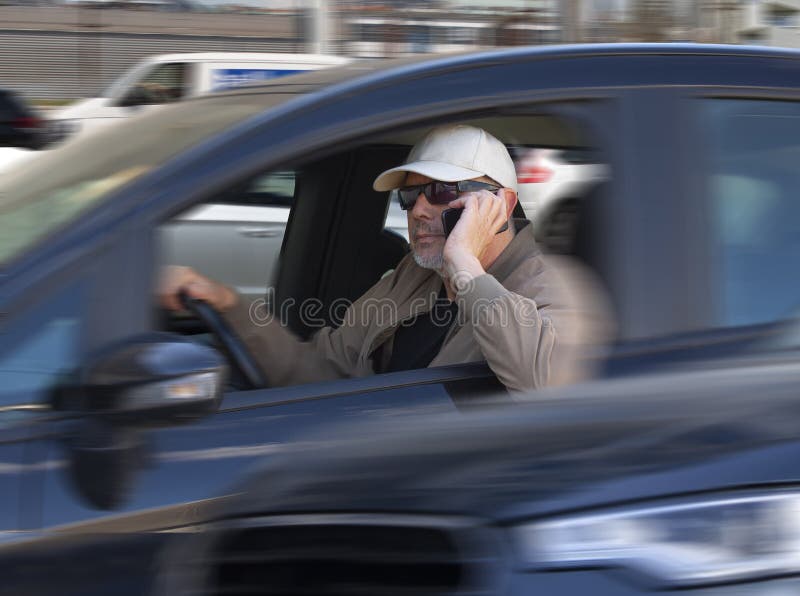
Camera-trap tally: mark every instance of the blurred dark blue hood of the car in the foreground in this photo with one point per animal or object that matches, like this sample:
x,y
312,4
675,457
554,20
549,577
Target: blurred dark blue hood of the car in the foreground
x,y
558,450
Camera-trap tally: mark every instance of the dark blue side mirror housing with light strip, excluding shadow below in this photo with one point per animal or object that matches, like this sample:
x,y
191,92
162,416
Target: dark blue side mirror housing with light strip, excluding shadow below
x,y
146,381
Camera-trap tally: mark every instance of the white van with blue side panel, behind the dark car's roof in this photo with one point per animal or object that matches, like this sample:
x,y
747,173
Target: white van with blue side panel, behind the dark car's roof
x,y
171,77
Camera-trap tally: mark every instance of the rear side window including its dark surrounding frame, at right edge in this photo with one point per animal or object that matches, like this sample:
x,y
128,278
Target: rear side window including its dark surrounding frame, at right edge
x,y
747,214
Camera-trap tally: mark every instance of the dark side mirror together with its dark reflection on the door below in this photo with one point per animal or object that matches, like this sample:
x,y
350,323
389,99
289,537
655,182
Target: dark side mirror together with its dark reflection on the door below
x,y
147,381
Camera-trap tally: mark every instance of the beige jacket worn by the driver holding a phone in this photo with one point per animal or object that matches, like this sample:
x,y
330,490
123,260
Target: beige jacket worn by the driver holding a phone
x,y
527,319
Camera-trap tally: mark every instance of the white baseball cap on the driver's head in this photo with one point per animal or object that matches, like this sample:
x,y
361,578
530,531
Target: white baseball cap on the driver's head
x,y
452,153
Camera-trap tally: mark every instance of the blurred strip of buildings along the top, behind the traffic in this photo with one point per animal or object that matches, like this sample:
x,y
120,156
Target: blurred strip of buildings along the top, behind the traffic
x,y
62,49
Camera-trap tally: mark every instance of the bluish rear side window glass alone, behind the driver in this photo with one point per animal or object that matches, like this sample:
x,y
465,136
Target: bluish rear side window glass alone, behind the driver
x,y
754,207
